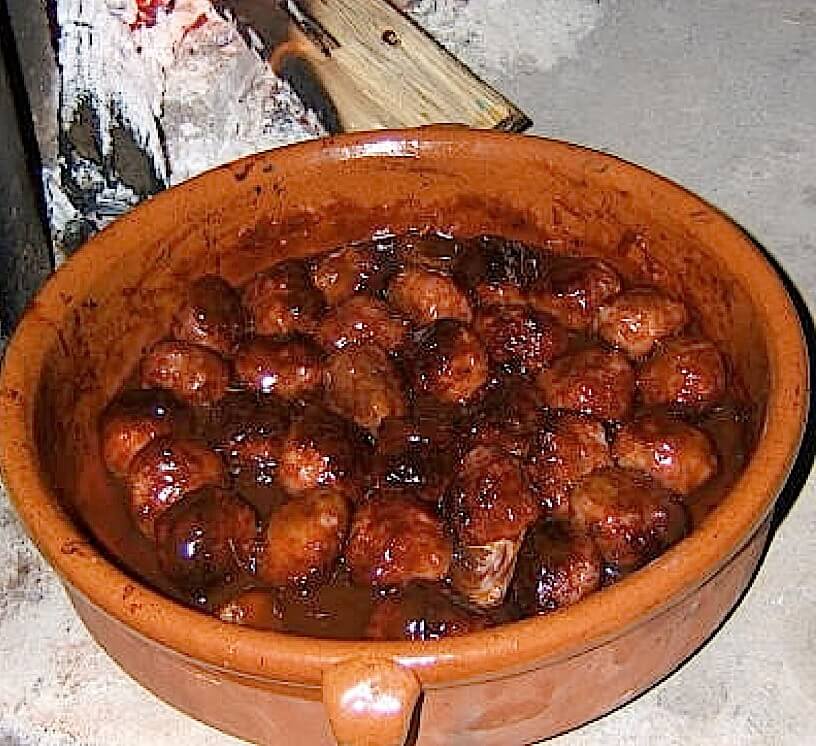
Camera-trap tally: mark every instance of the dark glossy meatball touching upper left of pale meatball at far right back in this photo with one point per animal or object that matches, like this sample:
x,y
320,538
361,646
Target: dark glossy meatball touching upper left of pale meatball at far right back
x,y
573,289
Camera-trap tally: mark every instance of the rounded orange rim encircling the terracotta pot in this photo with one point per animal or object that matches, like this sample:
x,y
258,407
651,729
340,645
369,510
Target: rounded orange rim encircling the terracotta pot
x,y
480,655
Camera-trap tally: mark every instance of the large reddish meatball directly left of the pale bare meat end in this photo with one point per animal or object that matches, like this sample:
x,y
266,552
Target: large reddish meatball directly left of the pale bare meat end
x,y
396,540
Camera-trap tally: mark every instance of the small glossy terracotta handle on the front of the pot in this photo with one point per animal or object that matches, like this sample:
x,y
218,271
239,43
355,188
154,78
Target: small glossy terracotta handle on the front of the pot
x,y
370,701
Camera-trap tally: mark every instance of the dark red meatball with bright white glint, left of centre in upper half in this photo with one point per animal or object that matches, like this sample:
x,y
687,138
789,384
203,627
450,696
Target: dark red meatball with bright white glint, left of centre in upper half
x,y
290,367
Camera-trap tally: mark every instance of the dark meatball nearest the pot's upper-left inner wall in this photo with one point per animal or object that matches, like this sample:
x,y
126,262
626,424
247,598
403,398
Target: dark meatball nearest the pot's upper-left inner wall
x,y
212,316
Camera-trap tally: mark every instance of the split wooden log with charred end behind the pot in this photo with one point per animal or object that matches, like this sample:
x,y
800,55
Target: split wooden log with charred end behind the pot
x,y
363,64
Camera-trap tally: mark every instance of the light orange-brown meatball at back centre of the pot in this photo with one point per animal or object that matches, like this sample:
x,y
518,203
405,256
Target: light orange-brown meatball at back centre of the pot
x,y
426,295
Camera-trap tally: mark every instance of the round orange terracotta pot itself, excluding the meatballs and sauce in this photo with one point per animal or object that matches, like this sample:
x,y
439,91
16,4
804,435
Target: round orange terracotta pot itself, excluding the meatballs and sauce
x,y
514,684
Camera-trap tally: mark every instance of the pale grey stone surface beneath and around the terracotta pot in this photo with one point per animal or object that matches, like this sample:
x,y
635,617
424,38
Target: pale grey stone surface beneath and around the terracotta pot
x,y
718,96
